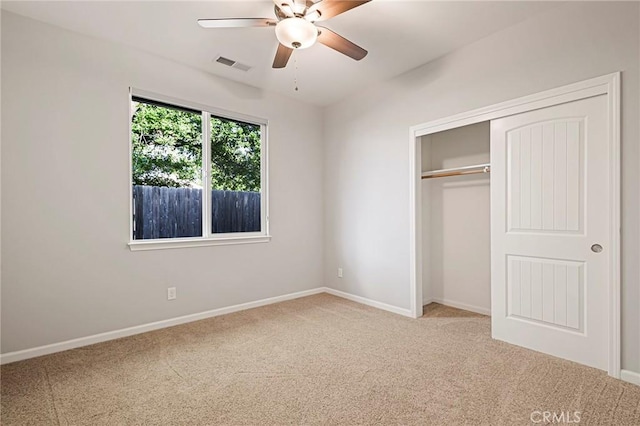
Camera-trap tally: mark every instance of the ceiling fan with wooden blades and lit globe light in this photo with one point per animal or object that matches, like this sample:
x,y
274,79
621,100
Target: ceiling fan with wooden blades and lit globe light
x,y
296,29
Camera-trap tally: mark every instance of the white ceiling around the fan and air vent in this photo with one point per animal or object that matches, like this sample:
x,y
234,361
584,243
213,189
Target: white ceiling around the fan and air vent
x,y
399,35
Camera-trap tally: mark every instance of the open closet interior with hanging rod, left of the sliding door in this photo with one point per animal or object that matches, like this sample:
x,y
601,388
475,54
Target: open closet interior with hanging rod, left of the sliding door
x,y
456,217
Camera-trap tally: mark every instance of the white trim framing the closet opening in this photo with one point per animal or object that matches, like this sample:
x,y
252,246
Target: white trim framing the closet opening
x,y
608,85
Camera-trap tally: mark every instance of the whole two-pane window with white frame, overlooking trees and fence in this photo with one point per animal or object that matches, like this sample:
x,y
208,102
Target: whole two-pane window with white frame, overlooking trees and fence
x,y
198,176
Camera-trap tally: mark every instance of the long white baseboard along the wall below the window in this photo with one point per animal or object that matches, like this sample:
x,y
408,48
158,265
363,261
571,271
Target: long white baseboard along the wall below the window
x,y
130,331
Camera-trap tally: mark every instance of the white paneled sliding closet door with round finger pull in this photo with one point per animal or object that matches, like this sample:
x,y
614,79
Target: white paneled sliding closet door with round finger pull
x,y
550,233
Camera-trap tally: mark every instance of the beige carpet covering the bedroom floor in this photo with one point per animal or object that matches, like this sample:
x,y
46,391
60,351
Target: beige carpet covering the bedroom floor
x,y
317,360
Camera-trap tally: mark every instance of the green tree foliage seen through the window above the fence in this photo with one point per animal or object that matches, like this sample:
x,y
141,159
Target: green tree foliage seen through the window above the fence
x,y
167,150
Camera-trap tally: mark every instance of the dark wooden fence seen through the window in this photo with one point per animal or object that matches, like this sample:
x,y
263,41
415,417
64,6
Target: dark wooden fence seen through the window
x,y
161,212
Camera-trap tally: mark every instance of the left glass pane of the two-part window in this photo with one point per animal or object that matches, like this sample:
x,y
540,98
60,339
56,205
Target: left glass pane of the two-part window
x,y
167,171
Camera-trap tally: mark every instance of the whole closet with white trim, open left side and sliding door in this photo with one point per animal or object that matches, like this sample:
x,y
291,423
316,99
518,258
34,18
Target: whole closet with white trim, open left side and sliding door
x,y
517,238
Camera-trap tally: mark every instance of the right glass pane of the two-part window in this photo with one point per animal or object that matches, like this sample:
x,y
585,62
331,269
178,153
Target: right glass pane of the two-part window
x,y
235,176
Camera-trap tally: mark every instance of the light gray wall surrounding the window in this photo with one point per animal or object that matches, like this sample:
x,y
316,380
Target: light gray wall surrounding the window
x,y
67,271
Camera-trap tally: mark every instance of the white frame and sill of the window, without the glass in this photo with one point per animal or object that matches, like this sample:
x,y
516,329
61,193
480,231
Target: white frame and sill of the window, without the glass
x,y
207,238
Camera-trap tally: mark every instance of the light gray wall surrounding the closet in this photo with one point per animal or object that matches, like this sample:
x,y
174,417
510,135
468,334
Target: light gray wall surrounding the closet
x,y
367,149
